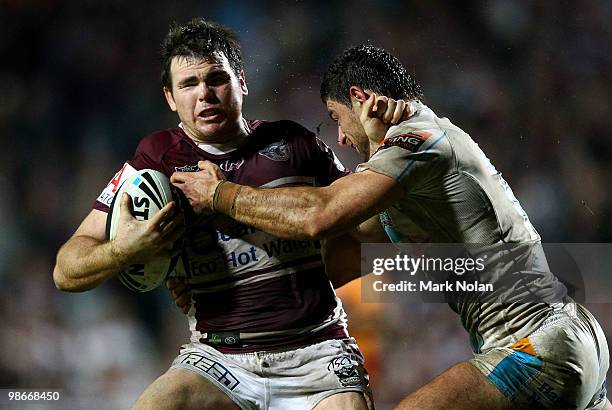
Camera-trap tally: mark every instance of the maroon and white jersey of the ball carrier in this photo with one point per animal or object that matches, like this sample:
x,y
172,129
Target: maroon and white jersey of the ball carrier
x,y
274,292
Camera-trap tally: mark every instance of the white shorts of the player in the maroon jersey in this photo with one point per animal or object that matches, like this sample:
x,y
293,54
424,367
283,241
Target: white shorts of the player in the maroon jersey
x,y
291,379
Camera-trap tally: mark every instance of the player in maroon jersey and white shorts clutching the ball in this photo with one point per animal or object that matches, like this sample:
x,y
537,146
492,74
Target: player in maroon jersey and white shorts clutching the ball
x,y
267,330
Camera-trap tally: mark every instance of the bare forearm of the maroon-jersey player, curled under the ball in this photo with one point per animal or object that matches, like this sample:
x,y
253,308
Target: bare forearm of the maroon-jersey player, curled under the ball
x,y
83,263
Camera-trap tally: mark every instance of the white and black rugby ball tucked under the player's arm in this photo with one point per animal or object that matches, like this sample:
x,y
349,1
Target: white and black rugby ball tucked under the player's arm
x,y
150,191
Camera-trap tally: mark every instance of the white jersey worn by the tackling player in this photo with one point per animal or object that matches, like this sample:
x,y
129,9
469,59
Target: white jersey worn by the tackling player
x,y
453,194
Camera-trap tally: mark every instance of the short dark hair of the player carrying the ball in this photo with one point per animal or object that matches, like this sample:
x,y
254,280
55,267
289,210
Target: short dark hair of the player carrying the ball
x,y
199,40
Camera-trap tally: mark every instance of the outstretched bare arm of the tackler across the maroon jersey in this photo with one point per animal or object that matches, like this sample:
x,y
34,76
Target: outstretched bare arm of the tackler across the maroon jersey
x,y
295,212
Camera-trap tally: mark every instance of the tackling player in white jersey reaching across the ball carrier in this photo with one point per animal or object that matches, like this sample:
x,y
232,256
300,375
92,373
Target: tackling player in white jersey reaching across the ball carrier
x,y
427,181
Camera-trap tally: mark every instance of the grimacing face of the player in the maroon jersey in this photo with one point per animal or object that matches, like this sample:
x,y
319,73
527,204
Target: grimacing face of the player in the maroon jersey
x,y
207,96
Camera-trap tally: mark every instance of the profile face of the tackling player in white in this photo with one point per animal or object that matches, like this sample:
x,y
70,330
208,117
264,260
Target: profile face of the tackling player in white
x,y
350,130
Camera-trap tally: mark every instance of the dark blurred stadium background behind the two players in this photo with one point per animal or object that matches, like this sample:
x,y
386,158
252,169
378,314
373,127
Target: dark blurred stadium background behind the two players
x,y
79,86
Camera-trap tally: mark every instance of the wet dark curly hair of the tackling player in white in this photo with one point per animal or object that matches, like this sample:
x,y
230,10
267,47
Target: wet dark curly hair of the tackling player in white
x,y
370,68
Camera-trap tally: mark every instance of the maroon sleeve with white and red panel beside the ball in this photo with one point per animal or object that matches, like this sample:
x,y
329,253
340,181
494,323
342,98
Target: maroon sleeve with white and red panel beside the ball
x,y
141,160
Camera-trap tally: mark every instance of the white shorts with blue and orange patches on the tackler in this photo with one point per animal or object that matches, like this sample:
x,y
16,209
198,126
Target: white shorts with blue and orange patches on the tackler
x,y
562,365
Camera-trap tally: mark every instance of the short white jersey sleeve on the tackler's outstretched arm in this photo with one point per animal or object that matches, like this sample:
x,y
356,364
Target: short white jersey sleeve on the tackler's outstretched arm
x,y
414,158
